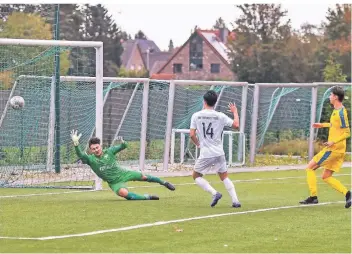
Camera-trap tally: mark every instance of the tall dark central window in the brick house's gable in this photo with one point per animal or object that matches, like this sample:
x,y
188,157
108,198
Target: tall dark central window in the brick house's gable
x,y
196,53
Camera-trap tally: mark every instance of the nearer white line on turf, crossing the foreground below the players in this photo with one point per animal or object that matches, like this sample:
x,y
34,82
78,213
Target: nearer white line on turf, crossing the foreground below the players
x,y
159,223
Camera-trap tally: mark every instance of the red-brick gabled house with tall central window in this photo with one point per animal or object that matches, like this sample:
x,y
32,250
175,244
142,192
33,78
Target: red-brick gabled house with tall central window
x,y
204,56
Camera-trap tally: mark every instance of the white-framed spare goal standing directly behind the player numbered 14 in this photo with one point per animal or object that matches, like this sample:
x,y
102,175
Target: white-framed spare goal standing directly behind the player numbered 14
x,y
186,98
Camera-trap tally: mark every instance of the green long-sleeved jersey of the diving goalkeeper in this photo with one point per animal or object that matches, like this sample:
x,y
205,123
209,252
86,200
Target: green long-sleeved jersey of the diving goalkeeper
x,y
105,166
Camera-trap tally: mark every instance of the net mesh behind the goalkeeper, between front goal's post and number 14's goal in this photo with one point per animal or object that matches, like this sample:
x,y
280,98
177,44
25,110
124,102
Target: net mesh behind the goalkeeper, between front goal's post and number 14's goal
x,y
123,118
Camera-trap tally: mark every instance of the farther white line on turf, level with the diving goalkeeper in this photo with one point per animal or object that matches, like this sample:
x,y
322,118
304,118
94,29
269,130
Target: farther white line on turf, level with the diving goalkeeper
x,y
154,186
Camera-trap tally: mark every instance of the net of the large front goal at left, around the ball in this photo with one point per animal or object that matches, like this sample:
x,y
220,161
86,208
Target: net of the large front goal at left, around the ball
x,y
35,145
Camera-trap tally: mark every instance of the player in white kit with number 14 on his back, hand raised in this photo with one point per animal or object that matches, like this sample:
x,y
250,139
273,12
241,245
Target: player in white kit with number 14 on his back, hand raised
x,y
209,125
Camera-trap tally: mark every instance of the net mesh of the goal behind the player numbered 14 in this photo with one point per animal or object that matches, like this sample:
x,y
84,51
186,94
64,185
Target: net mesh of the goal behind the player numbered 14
x,y
188,100
